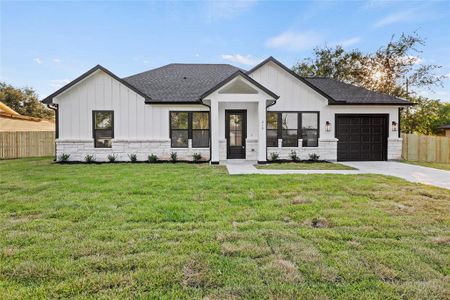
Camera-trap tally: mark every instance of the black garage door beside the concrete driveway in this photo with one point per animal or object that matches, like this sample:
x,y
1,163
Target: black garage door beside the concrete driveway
x,y
361,137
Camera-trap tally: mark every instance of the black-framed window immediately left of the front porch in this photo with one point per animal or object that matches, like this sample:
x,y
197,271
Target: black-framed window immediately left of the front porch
x,y
185,125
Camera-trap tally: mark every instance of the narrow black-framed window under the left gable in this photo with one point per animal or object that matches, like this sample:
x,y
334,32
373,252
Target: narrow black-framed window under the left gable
x,y
103,128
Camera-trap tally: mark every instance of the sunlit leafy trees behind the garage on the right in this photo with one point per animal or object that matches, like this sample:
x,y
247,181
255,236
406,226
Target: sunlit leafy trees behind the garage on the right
x,y
394,69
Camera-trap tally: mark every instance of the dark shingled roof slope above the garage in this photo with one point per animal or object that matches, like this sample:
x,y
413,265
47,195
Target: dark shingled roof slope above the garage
x,y
344,93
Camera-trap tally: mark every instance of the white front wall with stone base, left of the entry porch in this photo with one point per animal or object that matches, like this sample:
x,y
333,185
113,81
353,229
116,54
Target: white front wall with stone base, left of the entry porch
x,y
139,128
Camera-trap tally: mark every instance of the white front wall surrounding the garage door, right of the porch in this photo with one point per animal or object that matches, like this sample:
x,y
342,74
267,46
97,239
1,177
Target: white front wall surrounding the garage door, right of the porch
x,y
297,96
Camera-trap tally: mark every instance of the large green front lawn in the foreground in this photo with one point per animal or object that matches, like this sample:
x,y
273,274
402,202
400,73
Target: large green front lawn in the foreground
x,y
192,231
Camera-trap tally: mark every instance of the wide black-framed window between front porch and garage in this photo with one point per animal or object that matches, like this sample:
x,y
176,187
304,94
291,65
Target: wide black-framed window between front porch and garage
x,y
291,126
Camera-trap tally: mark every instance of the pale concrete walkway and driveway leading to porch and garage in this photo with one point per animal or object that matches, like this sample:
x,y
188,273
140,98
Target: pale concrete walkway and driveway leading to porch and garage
x,y
413,173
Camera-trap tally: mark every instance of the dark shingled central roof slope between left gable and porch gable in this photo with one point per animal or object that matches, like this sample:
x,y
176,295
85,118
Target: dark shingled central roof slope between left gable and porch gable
x,y
180,82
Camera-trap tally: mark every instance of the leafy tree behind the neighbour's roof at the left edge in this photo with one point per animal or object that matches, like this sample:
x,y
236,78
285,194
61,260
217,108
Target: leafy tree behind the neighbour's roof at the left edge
x,y
24,101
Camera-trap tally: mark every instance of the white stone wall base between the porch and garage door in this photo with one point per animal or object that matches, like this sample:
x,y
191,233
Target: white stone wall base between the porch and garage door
x,y
327,150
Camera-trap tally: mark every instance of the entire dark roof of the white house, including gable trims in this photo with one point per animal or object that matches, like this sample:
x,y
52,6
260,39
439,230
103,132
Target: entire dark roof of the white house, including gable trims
x,y
189,83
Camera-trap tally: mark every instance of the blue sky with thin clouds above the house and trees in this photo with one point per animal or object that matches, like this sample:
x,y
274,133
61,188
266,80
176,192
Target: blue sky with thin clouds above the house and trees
x,y
44,45
